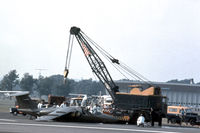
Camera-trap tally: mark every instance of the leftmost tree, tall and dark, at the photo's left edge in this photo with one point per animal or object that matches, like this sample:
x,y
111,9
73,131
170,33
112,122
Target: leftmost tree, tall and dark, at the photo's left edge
x,y
9,81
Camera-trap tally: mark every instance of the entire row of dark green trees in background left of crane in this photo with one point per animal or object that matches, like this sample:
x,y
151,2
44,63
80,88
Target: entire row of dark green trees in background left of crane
x,y
49,85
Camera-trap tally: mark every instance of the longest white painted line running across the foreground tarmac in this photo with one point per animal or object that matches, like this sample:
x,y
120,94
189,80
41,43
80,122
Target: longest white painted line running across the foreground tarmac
x,y
83,127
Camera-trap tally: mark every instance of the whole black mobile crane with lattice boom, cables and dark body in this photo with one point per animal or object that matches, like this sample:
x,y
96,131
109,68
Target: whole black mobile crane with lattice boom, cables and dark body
x,y
152,106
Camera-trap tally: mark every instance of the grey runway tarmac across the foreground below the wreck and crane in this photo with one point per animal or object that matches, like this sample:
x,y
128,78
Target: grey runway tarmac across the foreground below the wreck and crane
x,y
20,124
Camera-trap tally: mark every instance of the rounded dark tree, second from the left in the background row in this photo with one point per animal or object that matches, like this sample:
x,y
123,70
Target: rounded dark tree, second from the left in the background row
x,y
27,82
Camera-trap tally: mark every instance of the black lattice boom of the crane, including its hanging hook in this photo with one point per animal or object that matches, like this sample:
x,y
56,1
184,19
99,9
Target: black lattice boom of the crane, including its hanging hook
x,y
95,62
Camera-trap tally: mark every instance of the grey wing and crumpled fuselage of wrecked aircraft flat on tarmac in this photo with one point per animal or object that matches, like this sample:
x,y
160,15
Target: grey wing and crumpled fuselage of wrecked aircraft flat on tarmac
x,y
77,114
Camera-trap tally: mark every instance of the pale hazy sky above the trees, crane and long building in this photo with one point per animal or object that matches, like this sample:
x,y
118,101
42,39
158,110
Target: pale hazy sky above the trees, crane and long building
x,y
157,38
